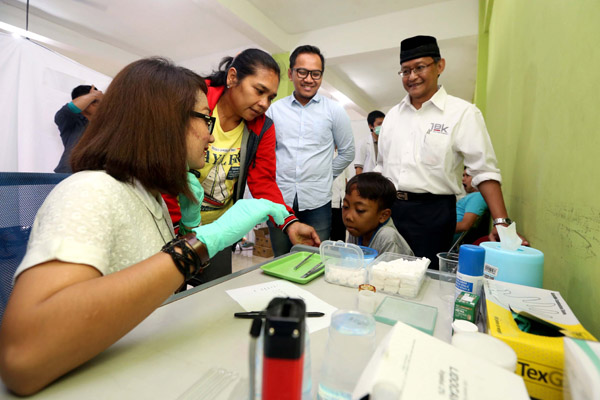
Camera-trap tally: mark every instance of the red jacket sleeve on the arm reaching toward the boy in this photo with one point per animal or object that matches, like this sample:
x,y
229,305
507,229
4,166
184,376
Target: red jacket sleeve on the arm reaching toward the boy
x,y
262,174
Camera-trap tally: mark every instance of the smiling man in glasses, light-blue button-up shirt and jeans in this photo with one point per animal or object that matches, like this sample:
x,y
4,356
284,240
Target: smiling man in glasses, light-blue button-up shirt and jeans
x,y
309,128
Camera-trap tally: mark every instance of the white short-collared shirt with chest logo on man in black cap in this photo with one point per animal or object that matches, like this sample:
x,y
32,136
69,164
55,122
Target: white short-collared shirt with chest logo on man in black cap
x,y
423,151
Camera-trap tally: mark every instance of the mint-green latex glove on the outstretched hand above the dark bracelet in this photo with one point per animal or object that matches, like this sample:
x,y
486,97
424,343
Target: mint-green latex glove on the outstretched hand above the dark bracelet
x,y
238,221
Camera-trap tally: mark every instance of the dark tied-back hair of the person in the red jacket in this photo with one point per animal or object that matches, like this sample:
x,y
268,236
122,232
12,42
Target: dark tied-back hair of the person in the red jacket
x,y
246,63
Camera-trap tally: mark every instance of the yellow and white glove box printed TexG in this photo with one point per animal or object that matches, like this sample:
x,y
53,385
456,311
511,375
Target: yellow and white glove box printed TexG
x,y
540,358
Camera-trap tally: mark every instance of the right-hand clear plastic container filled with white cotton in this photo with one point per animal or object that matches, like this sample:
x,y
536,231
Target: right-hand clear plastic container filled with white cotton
x,y
398,274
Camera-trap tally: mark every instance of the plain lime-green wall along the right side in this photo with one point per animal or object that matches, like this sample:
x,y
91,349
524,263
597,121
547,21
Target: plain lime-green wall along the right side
x,y
540,92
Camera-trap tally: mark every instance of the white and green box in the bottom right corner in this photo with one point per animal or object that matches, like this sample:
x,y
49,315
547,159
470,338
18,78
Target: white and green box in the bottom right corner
x,y
582,370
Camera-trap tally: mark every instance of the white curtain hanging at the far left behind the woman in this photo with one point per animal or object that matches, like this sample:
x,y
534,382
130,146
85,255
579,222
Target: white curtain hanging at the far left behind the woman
x,y
35,82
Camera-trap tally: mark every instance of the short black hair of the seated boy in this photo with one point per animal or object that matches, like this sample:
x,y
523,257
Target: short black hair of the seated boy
x,y
373,186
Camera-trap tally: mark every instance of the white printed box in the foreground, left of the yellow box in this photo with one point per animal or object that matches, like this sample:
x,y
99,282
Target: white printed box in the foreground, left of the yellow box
x,y
414,365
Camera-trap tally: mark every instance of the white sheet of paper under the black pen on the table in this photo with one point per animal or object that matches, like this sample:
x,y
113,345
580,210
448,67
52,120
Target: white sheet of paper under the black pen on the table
x,y
257,298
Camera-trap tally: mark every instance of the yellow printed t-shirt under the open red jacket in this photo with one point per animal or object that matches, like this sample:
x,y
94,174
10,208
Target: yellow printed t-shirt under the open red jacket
x,y
221,170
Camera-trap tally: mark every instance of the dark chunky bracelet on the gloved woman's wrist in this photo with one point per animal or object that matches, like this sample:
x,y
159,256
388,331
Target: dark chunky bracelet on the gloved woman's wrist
x,y
193,258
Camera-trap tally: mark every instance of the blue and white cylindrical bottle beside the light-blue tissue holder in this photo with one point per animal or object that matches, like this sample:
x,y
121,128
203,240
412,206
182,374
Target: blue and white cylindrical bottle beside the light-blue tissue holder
x,y
469,277
